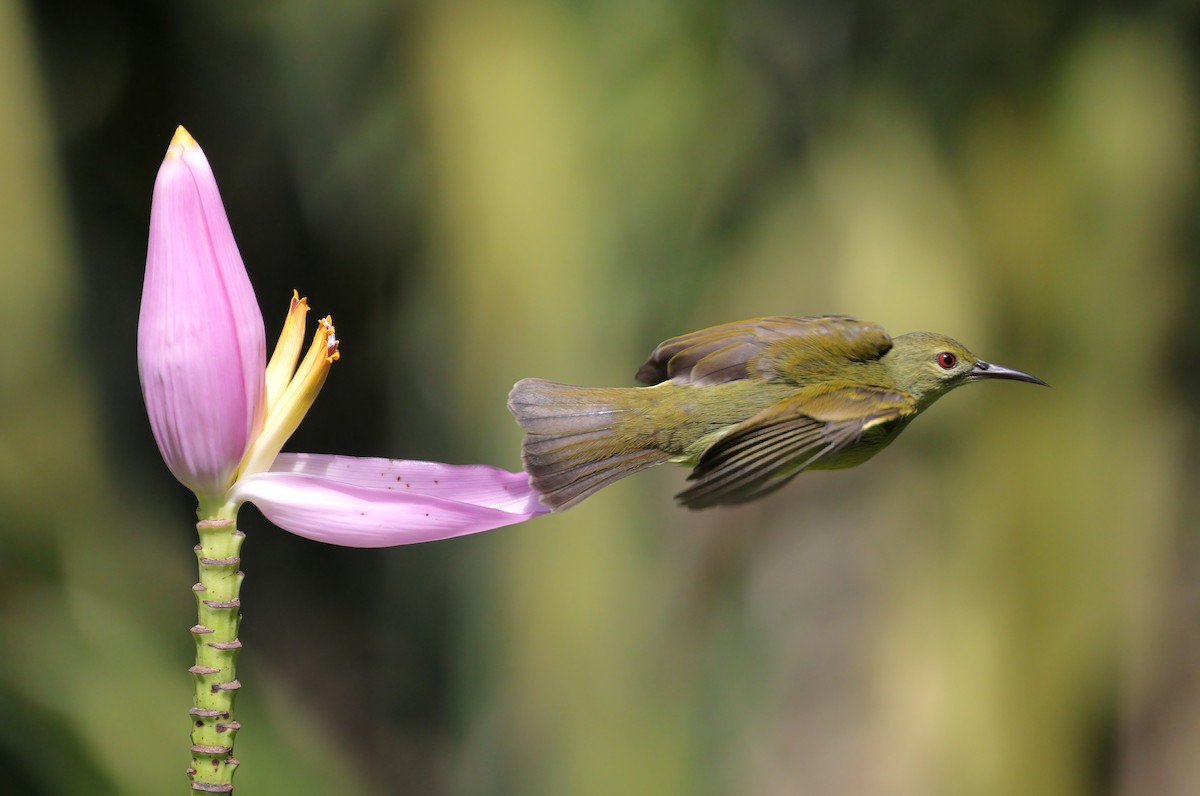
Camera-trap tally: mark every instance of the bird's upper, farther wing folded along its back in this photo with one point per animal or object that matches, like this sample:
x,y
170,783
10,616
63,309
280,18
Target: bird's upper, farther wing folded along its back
x,y
727,354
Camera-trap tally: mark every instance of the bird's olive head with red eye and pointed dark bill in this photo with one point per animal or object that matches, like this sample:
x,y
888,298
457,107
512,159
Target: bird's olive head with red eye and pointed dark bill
x,y
929,366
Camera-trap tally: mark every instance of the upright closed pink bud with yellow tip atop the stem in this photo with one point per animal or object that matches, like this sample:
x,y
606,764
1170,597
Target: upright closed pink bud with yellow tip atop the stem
x,y
201,342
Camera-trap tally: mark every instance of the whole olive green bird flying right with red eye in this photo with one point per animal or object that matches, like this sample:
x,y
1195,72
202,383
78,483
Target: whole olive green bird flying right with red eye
x,y
747,405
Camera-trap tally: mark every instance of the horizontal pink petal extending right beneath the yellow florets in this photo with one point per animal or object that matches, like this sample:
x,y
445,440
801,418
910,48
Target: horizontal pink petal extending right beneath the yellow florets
x,y
380,502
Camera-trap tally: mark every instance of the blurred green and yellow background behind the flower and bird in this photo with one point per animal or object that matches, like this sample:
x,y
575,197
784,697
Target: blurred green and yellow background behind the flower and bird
x,y
1006,602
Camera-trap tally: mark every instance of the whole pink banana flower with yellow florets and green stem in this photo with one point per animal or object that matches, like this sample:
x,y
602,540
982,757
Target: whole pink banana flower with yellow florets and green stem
x,y
220,415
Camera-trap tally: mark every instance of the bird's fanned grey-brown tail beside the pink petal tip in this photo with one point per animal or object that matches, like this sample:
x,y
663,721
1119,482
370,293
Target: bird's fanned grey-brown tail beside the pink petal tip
x,y
575,444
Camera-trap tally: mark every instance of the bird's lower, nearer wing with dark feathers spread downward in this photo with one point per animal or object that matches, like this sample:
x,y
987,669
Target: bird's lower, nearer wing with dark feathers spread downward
x,y
764,453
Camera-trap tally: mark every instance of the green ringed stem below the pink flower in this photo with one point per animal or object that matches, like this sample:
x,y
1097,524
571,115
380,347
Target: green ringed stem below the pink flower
x,y
217,656
